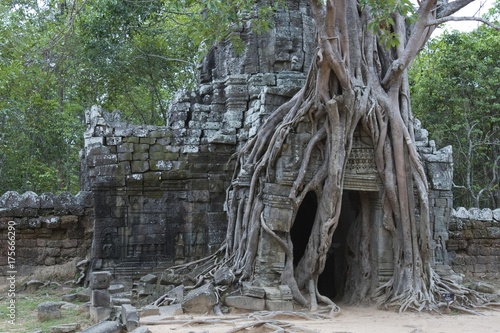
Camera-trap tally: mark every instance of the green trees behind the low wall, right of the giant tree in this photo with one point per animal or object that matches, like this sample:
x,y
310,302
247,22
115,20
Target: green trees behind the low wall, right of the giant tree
x,y
455,92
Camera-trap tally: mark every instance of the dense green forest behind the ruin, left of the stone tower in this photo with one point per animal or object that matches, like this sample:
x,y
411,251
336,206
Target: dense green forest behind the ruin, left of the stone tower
x,y
59,57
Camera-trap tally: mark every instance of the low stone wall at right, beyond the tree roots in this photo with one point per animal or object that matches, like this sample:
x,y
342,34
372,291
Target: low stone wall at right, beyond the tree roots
x,y
474,242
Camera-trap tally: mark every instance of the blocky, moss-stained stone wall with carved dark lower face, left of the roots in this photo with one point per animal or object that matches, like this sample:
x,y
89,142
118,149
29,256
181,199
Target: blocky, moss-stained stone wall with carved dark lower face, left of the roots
x,y
157,202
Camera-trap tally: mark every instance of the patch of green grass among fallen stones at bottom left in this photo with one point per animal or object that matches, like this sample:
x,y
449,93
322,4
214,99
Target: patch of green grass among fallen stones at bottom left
x,y
26,312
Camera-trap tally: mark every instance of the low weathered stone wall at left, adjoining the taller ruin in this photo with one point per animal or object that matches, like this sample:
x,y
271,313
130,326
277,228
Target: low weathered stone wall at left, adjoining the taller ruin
x,y
49,230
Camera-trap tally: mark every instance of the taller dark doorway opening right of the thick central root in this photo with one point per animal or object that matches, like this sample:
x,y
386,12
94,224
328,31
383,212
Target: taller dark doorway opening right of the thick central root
x,y
331,283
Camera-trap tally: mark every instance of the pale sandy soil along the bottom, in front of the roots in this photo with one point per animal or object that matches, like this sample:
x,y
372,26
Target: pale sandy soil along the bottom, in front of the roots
x,y
350,320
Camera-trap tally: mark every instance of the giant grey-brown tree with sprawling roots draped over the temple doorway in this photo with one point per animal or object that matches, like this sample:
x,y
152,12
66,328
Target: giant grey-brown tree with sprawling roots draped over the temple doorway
x,y
357,80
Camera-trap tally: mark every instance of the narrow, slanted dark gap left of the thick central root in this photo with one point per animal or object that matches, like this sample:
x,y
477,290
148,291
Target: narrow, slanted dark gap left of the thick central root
x,y
302,226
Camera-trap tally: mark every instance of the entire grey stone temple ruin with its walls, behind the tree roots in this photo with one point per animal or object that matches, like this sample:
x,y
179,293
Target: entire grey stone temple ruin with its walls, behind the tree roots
x,y
156,194
